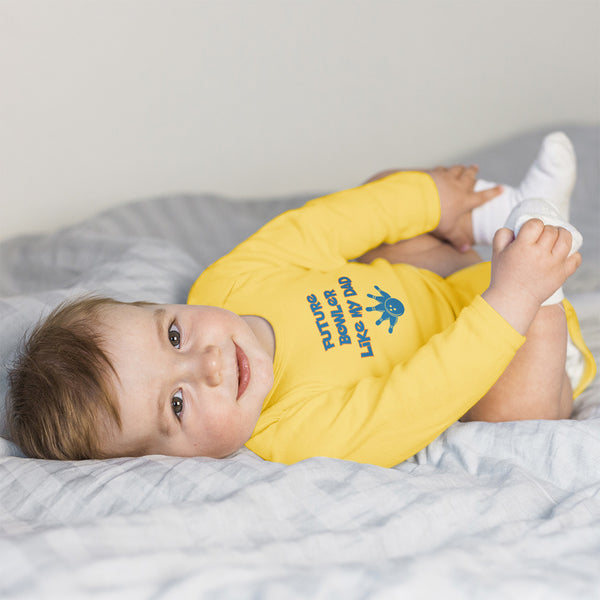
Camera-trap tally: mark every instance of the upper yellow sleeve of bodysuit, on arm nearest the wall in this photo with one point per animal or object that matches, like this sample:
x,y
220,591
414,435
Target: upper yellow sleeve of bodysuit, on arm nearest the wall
x,y
328,231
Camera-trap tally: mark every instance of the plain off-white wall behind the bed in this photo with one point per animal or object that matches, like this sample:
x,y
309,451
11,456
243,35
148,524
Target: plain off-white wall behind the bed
x,y
103,101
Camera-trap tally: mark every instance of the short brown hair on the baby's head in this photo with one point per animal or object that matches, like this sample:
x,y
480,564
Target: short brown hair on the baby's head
x,y
60,391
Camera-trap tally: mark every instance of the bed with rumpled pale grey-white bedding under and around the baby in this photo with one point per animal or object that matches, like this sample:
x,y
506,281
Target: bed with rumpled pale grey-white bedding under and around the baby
x,y
485,511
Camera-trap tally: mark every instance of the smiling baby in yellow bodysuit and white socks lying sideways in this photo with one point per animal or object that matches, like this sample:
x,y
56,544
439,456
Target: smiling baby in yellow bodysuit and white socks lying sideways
x,y
359,326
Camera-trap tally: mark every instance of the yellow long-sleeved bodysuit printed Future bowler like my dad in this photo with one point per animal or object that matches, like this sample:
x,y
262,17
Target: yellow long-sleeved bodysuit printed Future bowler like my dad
x,y
374,361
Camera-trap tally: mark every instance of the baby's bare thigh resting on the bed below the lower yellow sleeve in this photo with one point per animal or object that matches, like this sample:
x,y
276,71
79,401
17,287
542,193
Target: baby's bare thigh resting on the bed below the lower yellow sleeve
x,y
535,384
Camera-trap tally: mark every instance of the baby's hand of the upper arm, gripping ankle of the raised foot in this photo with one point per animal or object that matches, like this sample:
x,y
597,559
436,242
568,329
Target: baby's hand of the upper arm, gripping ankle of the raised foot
x,y
457,199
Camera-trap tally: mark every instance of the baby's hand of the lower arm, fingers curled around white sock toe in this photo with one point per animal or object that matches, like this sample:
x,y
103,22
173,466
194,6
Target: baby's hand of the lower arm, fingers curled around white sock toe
x,y
528,269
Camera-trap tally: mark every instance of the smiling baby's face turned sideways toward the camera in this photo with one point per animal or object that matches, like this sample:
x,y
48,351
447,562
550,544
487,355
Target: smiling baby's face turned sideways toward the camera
x,y
191,379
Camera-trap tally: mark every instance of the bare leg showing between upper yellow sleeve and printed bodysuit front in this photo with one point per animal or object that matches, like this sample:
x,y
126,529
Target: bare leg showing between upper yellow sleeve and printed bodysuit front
x,y
426,252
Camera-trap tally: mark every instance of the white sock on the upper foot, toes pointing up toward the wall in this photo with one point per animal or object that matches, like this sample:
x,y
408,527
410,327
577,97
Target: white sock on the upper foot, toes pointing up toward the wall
x,y
551,176
